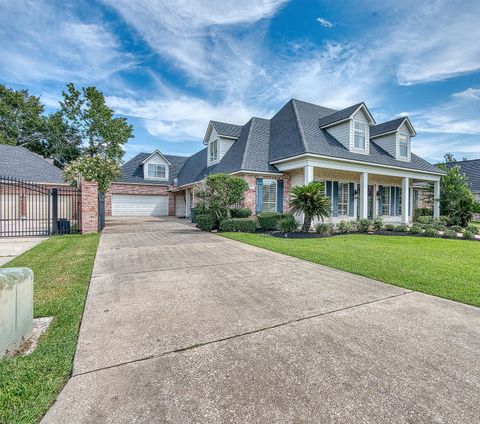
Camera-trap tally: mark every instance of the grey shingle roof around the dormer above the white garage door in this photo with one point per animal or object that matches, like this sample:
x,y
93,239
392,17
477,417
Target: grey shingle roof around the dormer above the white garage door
x,y
132,171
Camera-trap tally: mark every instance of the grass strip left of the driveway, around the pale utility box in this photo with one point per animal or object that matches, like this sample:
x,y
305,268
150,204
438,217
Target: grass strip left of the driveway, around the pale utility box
x,y
62,267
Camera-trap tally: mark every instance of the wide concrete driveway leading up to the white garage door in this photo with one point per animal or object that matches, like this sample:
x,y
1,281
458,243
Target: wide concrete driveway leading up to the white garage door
x,y
182,326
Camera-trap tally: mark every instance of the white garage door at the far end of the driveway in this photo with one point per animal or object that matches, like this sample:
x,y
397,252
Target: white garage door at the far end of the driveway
x,y
139,205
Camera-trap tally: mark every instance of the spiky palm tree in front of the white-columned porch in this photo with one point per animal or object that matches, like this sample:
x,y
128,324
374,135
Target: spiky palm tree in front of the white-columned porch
x,y
310,201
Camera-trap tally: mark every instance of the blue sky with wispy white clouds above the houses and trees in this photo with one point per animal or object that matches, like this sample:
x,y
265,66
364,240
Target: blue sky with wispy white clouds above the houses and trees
x,y
170,66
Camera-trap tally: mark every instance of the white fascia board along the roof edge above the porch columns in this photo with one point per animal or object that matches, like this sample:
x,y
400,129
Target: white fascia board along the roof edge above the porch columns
x,y
353,166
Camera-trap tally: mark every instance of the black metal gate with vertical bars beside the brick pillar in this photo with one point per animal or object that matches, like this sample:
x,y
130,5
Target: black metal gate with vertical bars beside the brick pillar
x,y
32,209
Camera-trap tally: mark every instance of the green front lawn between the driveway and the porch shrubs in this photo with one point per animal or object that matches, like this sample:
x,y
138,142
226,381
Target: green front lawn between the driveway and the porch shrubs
x,y
445,268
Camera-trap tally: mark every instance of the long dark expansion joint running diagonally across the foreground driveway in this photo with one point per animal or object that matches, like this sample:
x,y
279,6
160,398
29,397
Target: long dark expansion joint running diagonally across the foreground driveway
x,y
247,333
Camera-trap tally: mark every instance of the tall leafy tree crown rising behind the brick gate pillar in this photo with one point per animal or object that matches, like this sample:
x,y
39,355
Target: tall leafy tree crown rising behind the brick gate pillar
x,y
92,121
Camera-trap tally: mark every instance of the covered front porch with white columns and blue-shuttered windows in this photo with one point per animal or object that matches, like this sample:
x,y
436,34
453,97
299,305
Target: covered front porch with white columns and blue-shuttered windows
x,y
363,191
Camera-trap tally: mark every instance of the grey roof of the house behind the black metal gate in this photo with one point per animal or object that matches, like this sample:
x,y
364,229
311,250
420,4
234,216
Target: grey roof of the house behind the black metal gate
x,y
19,162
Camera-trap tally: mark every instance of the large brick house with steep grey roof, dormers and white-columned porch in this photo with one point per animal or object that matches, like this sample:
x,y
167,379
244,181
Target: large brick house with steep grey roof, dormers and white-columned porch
x,y
368,169
